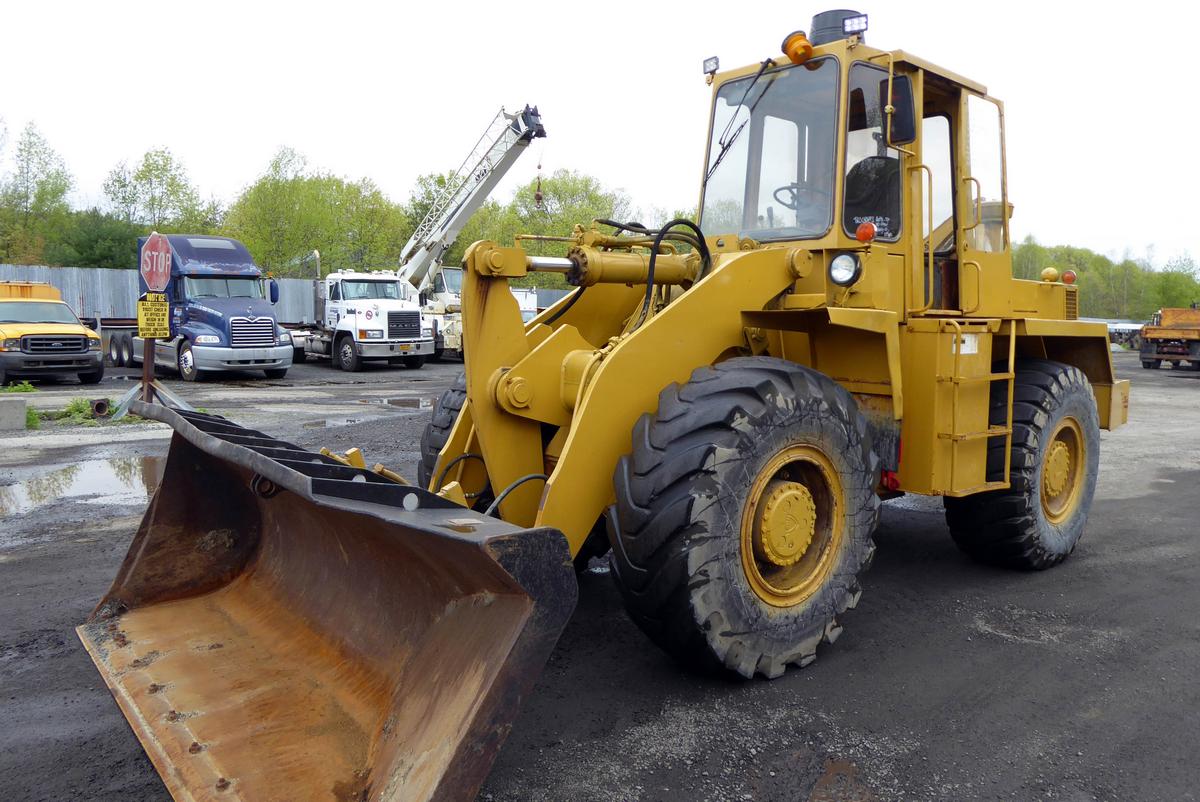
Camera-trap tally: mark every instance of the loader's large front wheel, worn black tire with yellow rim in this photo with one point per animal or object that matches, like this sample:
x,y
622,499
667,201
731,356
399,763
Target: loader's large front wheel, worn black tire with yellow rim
x,y
712,483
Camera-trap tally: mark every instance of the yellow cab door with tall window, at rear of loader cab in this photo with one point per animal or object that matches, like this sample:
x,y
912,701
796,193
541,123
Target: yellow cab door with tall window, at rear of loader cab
x,y
982,208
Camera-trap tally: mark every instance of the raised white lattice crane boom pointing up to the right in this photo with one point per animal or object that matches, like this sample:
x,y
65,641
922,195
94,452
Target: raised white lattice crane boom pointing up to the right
x,y
491,158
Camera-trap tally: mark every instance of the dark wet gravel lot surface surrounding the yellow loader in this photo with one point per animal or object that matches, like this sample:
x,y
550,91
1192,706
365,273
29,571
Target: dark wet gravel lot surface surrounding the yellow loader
x,y
951,681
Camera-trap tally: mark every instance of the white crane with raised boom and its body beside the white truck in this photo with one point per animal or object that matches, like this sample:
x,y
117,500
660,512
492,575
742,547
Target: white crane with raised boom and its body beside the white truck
x,y
421,262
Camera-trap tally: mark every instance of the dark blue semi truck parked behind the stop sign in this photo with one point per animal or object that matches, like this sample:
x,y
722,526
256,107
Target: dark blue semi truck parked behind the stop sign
x,y
223,313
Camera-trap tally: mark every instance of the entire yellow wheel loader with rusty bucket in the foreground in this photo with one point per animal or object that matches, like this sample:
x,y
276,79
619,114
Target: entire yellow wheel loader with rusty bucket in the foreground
x,y
724,404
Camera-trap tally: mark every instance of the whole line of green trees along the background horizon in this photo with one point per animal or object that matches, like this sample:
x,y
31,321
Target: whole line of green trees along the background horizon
x,y
292,208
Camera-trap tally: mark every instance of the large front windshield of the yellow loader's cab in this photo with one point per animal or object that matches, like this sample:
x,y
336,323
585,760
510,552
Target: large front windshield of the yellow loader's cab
x,y
771,172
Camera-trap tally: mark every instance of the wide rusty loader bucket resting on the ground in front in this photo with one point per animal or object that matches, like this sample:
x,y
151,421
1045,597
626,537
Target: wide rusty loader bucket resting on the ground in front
x,y
286,627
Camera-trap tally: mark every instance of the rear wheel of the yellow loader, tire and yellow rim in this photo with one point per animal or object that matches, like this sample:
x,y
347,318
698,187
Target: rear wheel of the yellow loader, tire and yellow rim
x,y
1037,522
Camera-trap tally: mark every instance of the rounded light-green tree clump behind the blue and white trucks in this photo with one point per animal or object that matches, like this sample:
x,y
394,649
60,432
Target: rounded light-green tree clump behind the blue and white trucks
x,y
291,211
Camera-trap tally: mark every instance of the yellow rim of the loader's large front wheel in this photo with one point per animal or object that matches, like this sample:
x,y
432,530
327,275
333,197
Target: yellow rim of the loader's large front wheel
x,y
793,526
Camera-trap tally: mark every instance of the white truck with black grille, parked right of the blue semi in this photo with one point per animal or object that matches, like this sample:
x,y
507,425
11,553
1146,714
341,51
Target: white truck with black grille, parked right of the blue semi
x,y
365,316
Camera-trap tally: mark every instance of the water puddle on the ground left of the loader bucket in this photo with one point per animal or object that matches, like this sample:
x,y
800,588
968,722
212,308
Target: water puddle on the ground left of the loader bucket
x,y
119,481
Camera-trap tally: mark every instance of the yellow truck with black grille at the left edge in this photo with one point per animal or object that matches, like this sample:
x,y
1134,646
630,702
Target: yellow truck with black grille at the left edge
x,y
41,336
